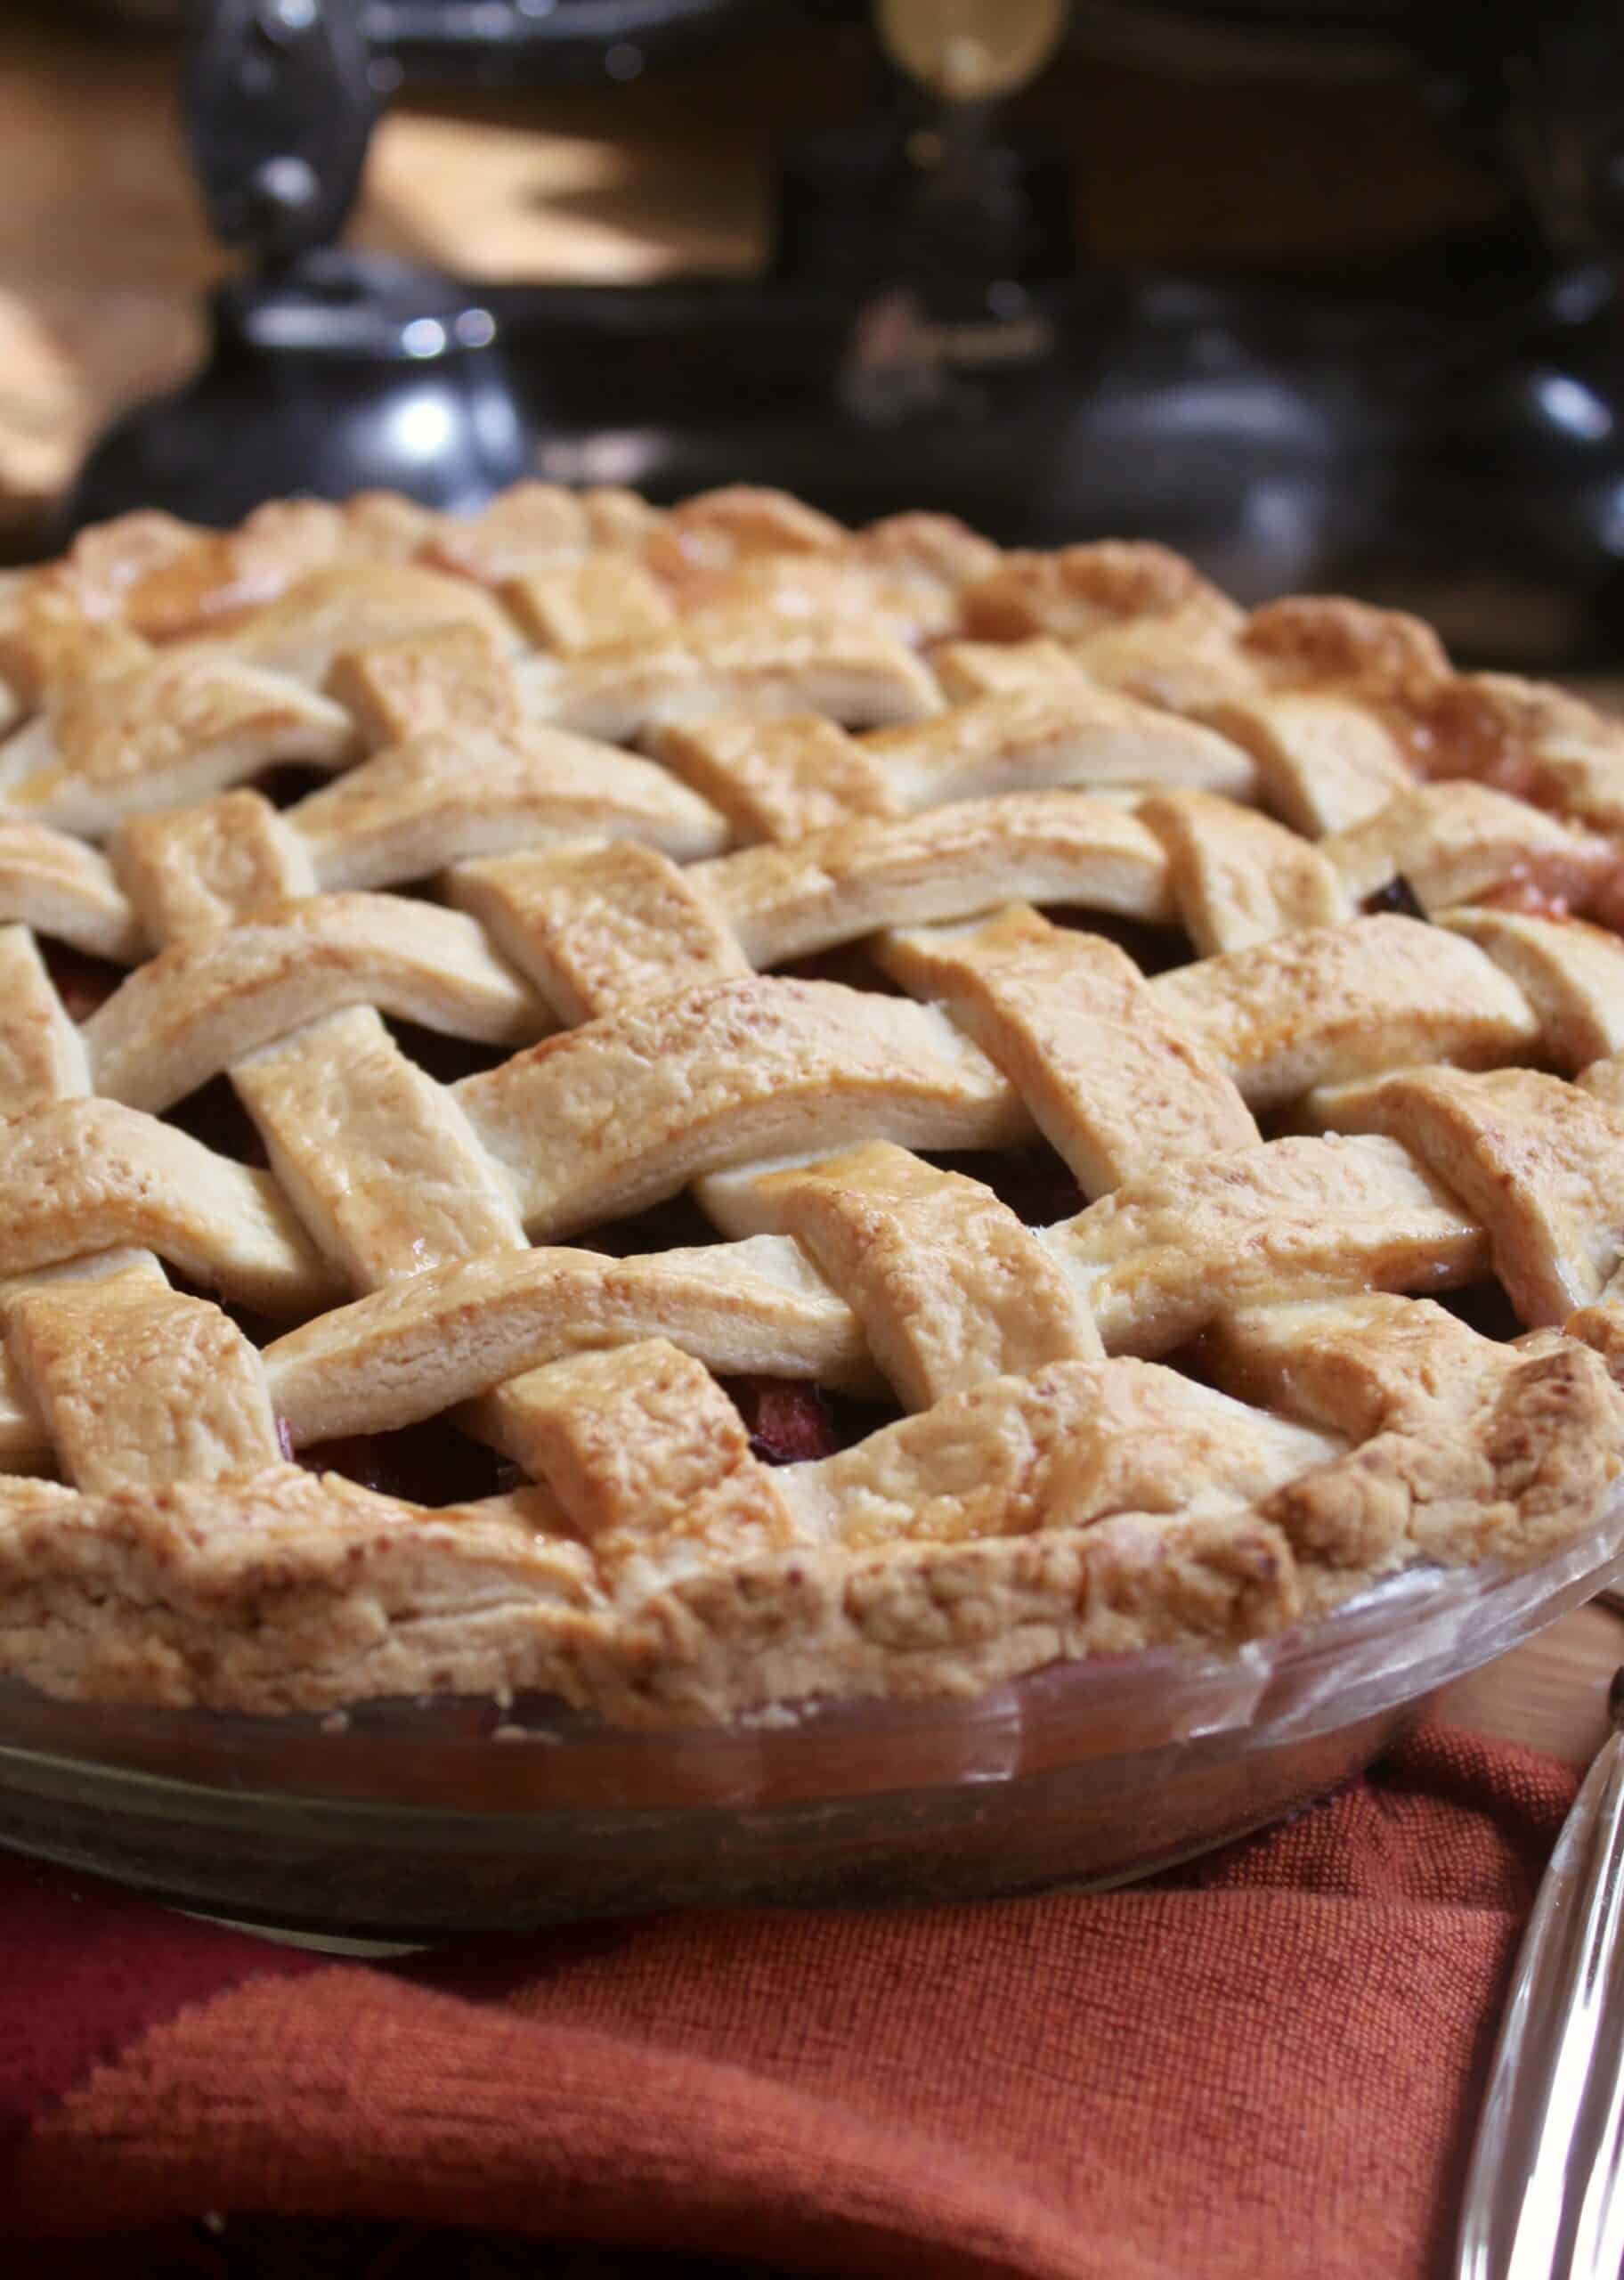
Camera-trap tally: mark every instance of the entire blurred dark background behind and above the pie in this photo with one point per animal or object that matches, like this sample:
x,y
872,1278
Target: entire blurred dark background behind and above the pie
x,y
1322,293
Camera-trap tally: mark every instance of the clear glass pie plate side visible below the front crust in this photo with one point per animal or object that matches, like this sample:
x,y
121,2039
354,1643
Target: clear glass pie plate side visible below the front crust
x,y
414,1821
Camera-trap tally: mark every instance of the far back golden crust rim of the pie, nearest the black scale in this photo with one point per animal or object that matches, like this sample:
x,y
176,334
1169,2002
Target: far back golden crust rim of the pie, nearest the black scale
x,y
1333,703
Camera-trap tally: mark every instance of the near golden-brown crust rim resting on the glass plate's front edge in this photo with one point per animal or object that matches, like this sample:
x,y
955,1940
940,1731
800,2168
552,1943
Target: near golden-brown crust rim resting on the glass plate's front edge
x,y
295,1593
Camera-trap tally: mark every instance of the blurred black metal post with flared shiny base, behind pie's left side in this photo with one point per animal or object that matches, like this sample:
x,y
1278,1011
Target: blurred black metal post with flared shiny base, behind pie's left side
x,y
327,370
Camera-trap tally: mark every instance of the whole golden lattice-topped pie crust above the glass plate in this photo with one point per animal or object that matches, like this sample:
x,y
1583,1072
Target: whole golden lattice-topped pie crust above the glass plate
x,y
692,1111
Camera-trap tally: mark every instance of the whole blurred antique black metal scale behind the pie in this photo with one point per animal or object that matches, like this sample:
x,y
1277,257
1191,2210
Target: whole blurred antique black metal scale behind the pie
x,y
1447,437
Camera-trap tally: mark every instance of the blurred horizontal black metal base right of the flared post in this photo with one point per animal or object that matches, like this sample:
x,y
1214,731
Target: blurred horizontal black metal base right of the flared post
x,y
1445,441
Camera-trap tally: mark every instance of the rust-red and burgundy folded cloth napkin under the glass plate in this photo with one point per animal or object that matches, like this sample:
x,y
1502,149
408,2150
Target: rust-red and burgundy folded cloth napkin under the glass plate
x,y
1267,2065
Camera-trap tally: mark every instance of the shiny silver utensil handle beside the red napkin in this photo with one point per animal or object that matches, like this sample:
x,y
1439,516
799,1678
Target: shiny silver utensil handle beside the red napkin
x,y
1545,2194
